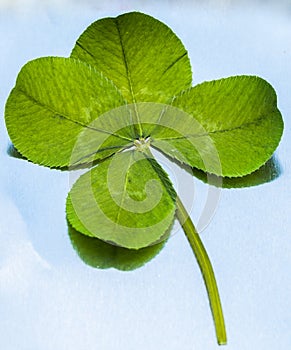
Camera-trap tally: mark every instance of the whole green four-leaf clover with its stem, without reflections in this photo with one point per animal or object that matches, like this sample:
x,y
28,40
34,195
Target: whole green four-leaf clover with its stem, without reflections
x,y
126,89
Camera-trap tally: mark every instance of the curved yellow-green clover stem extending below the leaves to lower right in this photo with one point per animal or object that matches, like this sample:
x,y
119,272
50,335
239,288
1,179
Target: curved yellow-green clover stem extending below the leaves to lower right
x,y
206,270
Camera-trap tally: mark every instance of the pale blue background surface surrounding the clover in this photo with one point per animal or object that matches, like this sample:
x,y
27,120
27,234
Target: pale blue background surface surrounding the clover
x,y
51,300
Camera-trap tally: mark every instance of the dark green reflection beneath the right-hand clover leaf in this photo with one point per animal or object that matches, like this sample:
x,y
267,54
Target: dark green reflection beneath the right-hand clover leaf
x,y
270,171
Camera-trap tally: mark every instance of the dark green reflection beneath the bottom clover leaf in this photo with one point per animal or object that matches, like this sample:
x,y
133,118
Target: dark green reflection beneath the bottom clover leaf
x,y
99,254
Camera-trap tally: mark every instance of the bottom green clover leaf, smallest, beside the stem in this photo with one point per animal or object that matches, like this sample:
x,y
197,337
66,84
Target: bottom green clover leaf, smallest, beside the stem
x,y
127,199
